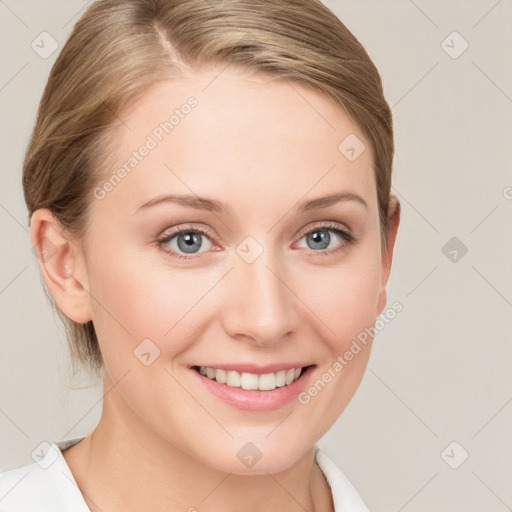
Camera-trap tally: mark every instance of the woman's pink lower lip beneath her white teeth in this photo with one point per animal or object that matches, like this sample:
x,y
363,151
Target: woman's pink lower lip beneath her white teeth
x,y
255,399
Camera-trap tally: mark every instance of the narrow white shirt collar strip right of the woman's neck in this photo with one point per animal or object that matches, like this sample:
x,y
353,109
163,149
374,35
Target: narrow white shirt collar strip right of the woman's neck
x,y
344,494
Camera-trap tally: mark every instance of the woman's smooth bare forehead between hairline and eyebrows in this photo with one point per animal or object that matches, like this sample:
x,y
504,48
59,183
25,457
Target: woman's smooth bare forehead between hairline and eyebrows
x,y
224,131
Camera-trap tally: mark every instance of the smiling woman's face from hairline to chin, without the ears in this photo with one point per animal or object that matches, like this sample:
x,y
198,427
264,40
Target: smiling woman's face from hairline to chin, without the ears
x,y
244,286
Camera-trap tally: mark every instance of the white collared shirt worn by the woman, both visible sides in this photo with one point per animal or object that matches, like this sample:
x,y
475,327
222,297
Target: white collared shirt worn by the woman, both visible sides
x,y
49,486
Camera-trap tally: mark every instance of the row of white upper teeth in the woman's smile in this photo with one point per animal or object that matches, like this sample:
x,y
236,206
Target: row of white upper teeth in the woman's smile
x,y
245,380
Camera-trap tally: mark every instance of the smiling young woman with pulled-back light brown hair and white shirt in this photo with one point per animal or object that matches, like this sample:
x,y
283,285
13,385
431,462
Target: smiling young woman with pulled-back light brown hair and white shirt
x,y
208,186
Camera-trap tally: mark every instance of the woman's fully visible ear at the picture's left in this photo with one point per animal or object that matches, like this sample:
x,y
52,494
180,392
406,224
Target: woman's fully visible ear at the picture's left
x,y
62,265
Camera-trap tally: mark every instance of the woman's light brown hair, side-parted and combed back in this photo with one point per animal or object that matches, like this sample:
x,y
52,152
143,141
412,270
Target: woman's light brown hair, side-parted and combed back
x,y
119,48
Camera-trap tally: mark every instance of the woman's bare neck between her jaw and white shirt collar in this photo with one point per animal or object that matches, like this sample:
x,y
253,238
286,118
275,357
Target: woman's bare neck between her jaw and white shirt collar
x,y
124,465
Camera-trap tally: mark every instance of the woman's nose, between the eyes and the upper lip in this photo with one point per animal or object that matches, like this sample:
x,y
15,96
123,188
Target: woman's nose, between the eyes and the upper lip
x,y
260,304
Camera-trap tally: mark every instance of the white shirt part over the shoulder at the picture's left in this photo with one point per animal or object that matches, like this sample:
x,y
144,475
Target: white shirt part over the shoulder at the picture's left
x,y
43,486
